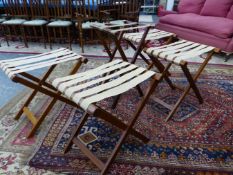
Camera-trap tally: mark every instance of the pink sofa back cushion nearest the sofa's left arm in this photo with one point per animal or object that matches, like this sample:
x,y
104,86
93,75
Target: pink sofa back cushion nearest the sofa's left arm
x,y
190,6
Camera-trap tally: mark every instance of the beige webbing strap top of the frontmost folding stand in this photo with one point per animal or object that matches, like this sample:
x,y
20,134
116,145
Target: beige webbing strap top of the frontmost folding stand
x,y
105,81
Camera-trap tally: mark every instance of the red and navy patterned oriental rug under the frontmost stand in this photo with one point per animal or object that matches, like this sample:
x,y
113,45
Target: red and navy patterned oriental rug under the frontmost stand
x,y
198,139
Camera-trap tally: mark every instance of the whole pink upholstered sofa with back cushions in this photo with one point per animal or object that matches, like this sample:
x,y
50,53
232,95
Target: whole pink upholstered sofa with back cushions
x,y
205,21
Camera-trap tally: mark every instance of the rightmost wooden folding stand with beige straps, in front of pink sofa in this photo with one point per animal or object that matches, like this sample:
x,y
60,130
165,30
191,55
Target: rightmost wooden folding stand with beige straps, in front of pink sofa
x,y
177,53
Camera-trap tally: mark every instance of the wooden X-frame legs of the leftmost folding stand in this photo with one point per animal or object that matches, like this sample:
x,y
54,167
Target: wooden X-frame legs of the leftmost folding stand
x,y
36,122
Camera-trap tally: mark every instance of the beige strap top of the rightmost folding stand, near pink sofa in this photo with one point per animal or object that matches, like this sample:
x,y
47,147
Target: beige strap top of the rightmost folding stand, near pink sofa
x,y
179,51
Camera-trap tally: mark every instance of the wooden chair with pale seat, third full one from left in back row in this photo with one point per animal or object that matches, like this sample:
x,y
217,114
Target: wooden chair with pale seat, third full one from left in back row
x,y
60,14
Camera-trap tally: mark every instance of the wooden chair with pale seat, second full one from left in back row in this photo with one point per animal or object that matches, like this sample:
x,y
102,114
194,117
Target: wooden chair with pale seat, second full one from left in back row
x,y
34,29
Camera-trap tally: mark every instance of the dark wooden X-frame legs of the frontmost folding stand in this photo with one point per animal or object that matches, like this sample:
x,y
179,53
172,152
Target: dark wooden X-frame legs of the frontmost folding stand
x,y
127,128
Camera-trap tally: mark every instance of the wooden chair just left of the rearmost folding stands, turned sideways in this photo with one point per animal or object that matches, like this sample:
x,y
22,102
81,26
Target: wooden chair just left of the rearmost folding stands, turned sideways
x,y
87,13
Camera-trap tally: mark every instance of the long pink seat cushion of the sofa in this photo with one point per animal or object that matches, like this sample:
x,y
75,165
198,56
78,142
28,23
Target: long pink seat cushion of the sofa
x,y
220,27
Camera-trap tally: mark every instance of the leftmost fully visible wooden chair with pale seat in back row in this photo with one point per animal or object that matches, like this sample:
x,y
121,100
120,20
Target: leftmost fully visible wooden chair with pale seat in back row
x,y
19,13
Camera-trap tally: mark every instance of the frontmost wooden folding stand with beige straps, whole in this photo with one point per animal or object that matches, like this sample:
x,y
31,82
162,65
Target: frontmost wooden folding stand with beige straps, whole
x,y
88,88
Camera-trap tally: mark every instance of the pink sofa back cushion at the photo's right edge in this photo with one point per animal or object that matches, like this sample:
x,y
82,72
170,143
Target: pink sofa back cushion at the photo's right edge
x,y
216,8
